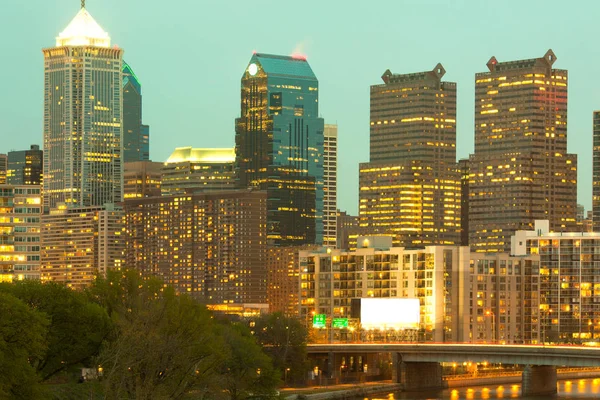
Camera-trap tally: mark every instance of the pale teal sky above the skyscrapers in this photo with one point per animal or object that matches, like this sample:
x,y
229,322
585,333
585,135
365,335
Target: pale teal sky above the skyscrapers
x,y
190,55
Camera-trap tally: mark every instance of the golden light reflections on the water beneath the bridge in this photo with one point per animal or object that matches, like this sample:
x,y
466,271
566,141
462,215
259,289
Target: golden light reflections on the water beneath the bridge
x,y
567,390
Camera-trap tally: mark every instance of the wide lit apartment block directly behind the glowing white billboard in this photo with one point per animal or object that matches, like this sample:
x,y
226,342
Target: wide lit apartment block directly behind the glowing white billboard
x,y
377,270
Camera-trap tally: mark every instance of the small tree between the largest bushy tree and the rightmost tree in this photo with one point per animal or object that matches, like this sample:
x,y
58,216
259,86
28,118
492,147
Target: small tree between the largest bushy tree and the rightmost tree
x,y
247,371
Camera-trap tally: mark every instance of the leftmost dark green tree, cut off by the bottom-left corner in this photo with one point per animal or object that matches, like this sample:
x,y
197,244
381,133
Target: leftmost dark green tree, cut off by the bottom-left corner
x,y
22,340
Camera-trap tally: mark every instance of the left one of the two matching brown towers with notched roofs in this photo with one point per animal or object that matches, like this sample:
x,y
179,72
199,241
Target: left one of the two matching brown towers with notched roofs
x,y
410,189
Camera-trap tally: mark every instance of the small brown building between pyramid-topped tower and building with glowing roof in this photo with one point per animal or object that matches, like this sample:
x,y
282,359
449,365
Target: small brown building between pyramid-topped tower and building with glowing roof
x,y
142,179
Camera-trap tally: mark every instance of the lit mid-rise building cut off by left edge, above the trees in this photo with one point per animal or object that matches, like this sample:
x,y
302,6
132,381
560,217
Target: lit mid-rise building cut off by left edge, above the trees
x,y
20,212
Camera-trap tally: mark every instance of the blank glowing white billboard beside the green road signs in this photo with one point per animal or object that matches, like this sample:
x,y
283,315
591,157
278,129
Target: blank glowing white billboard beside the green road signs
x,y
386,313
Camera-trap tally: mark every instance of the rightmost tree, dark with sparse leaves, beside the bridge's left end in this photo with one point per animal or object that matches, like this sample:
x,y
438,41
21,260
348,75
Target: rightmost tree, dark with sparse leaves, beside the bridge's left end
x,y
284,339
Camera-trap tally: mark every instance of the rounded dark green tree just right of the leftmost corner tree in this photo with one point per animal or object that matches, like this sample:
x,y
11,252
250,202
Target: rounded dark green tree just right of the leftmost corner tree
x,y
77,326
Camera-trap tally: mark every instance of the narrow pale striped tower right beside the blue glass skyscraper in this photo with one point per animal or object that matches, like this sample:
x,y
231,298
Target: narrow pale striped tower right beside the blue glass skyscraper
x,y
330,186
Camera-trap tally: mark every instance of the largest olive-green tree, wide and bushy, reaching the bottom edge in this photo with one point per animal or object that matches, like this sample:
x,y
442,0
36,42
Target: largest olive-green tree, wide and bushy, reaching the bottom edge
x,y
165,345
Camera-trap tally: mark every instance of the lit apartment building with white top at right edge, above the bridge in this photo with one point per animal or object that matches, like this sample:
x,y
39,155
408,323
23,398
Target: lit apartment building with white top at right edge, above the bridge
x,y
569,283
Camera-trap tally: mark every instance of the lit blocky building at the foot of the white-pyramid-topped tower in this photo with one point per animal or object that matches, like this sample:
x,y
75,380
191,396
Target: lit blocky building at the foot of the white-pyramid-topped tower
x,y
79,244
